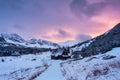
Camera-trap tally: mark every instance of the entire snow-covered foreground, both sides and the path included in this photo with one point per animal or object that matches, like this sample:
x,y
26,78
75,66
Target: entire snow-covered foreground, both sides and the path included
x,y
41,67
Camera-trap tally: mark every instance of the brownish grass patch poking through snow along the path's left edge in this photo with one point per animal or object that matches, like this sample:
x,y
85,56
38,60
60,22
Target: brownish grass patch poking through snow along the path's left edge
x,y
27,74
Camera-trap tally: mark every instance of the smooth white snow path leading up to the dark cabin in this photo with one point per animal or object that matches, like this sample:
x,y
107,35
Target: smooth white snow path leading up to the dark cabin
x,y
53,72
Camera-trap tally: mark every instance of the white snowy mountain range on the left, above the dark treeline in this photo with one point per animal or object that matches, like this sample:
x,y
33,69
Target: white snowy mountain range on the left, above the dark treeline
x,y
16,39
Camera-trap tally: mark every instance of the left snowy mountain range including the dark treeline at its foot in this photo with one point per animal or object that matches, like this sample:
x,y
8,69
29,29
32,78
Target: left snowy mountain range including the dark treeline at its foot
x,y
13,44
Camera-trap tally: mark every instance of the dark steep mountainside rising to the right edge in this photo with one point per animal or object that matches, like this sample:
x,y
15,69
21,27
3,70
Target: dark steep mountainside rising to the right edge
x,y
102,43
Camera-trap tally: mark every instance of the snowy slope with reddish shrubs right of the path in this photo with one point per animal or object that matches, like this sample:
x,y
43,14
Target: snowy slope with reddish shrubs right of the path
x,y
100,67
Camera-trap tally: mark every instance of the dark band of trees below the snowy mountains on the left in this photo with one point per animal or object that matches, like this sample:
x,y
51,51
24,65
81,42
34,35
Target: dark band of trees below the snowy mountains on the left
x,y
16,50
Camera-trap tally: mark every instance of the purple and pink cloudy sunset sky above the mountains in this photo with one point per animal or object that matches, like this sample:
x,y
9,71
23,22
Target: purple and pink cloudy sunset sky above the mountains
x,y
58,20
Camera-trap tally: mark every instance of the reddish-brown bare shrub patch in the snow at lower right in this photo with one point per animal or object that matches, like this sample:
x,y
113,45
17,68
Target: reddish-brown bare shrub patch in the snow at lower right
x,y
103,68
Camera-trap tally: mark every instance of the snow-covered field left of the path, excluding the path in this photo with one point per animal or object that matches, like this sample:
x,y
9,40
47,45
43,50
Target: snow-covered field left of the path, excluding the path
x,y
23,67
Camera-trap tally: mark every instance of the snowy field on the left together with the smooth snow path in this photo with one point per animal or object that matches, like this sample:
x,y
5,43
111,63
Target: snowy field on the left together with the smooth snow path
x,y
30,67
